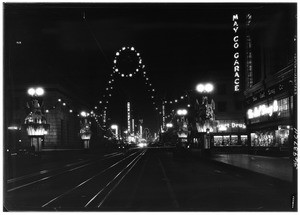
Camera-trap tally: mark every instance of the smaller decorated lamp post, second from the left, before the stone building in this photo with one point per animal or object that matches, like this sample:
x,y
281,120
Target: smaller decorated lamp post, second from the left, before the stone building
x,y
85,129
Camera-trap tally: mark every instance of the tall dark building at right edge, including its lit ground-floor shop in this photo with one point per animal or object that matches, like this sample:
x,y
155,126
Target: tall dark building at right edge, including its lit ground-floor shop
x,y
270,79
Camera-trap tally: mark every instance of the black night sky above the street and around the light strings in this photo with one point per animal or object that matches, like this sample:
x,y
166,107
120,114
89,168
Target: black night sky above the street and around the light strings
x,y
180,44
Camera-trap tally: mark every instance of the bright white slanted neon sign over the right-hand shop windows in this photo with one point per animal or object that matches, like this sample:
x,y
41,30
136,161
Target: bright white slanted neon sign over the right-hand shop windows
x,y
262,110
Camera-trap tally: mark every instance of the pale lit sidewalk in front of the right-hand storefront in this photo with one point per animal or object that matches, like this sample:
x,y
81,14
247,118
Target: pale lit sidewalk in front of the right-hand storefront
x,y
278,167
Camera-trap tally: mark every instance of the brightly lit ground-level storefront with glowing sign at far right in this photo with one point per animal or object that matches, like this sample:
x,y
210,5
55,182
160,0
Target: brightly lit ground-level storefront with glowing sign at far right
x,y
270,122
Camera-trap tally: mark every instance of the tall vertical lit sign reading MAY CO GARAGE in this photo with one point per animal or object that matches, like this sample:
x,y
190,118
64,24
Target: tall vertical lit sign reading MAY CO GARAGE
x,y
236,55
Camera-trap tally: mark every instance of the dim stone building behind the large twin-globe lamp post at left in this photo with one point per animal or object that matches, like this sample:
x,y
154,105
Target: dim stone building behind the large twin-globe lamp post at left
x,y
61,111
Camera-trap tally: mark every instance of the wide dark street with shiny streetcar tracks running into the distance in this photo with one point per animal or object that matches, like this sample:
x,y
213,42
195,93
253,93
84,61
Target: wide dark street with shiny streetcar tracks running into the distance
x,y
148,179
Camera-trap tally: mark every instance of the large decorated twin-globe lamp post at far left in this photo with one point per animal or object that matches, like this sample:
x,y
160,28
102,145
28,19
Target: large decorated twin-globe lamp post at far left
x,y
35,122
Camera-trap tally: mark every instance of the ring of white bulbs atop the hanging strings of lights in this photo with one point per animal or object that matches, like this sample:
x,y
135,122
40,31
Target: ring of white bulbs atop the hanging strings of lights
x,y
130,55
